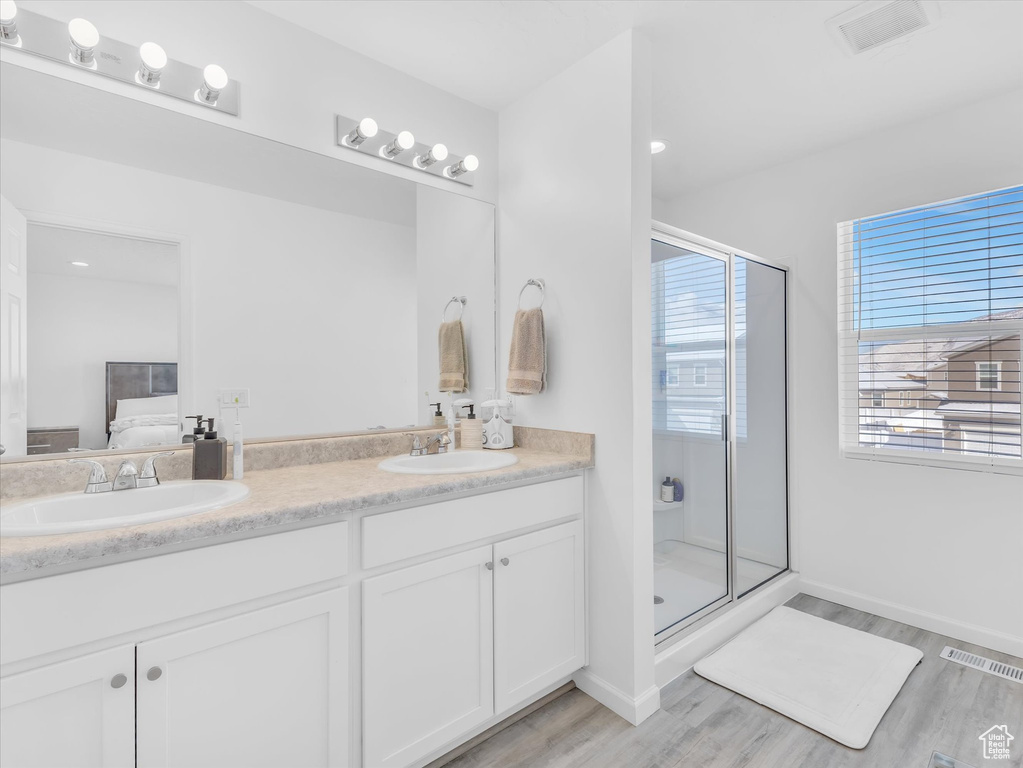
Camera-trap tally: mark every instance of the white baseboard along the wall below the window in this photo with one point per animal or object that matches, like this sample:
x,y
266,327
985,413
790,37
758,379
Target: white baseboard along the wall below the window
x,y
942,625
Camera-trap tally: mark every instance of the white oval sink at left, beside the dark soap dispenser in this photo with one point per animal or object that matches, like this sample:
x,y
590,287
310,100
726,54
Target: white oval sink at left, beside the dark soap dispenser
x,y
72,513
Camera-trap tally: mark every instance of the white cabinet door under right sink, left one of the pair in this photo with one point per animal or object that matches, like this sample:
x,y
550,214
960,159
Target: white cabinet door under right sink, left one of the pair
x,y
427,657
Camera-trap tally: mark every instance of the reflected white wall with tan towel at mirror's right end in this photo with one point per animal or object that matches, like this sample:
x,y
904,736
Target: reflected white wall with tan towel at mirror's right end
x,y
455,254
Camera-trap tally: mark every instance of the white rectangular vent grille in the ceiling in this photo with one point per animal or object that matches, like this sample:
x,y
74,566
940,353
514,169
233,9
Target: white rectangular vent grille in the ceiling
x,y
875,24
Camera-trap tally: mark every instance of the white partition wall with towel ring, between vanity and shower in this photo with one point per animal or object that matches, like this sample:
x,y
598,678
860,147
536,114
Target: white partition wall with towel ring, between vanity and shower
x,y
581,220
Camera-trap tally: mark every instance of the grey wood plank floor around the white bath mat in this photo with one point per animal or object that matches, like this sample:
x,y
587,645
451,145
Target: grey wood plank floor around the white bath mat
x,y
944,707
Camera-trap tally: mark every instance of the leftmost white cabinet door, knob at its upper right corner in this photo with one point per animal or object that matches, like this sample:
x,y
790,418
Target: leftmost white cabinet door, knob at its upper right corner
x,y
80,713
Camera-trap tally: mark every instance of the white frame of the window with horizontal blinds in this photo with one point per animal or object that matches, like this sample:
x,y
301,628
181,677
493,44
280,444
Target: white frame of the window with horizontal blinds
x,y
850,339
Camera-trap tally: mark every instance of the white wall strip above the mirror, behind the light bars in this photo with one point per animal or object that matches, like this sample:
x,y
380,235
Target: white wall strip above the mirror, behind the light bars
x,y
293,81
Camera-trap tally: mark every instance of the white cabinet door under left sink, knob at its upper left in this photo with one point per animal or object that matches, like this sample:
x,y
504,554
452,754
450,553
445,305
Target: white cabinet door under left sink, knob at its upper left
x,y
265,689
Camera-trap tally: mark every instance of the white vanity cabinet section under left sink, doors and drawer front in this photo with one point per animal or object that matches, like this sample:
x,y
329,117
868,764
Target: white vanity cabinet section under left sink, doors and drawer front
x,y
234,655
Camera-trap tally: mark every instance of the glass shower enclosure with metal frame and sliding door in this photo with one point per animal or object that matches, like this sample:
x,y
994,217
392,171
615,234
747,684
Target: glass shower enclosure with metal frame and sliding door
x,y
720,417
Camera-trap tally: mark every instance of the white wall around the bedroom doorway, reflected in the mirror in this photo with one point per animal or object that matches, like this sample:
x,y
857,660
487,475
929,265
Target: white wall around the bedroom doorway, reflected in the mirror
x,y
314,310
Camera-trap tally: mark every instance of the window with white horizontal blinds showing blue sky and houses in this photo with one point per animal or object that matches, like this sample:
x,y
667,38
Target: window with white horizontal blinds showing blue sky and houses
x,y
930,324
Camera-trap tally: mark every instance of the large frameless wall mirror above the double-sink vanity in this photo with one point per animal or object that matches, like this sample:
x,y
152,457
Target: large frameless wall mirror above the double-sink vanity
x,y
154,261
